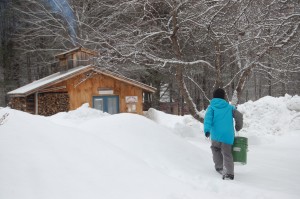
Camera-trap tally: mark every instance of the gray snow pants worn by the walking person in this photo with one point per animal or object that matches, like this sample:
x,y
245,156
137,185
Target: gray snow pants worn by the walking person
x,y
222,157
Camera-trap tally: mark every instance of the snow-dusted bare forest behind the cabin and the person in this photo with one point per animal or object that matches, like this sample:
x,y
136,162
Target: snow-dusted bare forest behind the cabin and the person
x,y
184,48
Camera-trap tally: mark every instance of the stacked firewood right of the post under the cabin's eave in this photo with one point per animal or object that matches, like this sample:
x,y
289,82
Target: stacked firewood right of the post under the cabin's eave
x,y
52,103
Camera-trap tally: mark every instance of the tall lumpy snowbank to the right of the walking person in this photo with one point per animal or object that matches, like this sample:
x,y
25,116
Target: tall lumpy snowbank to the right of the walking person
x,y
270,116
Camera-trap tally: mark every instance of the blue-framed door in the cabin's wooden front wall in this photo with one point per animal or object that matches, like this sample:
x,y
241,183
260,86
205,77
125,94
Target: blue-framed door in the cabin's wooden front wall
x,y
109,104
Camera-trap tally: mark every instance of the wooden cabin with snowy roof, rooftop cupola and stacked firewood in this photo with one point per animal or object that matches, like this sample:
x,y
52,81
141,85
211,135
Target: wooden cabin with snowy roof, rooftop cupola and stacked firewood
x,y
78,82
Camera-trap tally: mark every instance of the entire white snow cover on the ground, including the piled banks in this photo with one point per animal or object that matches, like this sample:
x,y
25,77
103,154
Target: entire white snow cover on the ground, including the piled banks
x,y
89,154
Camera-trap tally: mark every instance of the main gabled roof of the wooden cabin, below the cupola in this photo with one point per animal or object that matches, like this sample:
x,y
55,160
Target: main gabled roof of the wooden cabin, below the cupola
x,y
47,81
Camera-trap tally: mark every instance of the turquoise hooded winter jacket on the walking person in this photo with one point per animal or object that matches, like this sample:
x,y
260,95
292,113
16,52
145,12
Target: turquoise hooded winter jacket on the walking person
x,y
218,121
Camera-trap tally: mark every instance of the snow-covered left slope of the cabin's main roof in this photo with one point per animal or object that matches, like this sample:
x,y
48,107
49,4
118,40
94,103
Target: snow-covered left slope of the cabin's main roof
x,y
24,90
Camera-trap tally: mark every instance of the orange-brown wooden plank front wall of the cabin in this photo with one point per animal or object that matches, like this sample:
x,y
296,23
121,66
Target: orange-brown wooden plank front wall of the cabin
x,y
82,88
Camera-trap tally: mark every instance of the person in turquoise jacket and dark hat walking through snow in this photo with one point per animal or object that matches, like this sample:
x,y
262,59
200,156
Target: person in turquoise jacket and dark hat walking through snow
x,y
219,126
